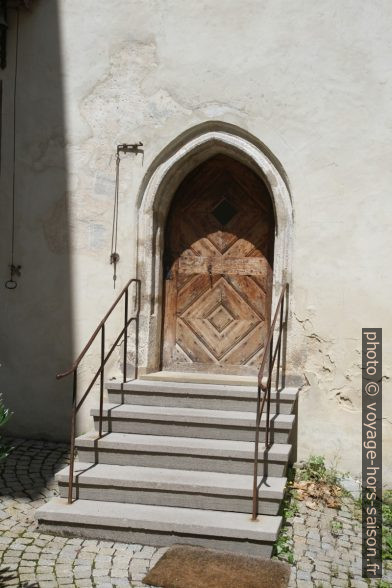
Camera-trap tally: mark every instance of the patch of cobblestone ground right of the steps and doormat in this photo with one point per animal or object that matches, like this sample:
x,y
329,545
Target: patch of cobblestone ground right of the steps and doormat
x,y
326,544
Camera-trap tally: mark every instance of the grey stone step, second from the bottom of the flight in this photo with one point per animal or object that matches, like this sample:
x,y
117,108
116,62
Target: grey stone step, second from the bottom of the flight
x,y
171,487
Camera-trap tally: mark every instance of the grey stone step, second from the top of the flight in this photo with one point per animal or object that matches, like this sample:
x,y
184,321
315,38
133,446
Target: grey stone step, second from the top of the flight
x,y
190,422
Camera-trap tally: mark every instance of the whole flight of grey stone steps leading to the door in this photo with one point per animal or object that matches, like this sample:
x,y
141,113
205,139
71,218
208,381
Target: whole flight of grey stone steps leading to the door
x,y
175,465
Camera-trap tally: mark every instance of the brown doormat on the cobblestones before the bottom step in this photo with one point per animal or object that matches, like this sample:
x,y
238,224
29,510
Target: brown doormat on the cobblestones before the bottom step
x,y
196,567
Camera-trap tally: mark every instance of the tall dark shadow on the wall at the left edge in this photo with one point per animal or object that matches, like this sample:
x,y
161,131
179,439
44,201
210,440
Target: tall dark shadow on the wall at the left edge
x,y
36,317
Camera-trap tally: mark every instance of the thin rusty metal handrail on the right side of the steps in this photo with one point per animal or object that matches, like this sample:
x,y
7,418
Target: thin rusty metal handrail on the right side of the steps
x,y
271,354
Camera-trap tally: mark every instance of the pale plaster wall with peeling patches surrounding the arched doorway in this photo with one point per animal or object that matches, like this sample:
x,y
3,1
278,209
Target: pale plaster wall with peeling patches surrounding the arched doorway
x,y
312,81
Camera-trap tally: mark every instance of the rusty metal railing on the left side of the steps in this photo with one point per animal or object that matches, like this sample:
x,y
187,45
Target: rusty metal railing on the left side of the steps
x,y
104,359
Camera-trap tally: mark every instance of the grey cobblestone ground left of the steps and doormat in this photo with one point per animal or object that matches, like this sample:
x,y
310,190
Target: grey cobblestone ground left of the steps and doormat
x,y
31,559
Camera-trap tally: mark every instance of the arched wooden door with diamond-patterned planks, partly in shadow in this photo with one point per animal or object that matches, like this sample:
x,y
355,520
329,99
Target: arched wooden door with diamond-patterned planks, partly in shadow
x,y
218,270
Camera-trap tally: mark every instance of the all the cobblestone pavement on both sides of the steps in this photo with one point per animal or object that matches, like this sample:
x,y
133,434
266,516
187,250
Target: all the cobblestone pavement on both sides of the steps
x,y
325,542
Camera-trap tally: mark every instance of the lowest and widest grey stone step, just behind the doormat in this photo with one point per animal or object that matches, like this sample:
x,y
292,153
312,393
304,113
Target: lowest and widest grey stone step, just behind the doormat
x,y
160,525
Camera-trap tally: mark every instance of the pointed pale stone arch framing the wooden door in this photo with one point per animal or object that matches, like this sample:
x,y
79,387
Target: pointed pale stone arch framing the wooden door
x,y
153,203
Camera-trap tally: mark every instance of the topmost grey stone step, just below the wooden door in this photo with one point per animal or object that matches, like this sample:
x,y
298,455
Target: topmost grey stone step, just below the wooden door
x,y
196,395
